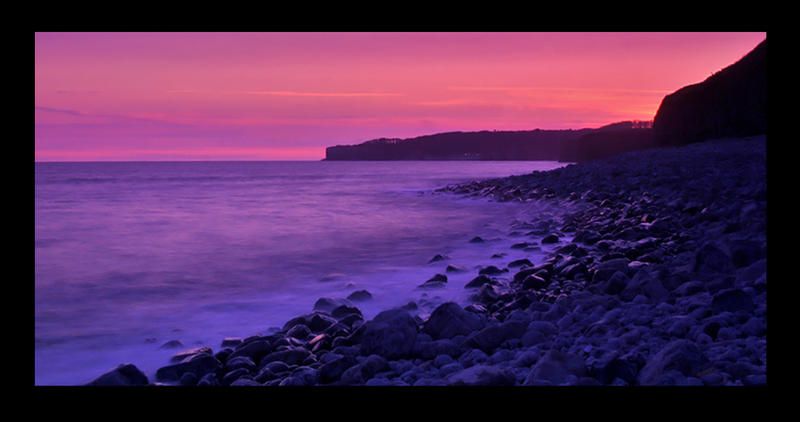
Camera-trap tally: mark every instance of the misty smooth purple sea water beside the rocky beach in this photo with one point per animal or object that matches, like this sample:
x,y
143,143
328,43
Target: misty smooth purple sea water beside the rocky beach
x,y
131,255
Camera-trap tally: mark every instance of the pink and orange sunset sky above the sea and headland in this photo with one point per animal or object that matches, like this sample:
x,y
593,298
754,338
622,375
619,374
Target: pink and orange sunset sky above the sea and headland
x,y
287,96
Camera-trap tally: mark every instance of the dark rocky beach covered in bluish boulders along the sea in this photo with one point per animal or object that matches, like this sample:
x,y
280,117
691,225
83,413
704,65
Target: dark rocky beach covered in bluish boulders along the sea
x,y
657,276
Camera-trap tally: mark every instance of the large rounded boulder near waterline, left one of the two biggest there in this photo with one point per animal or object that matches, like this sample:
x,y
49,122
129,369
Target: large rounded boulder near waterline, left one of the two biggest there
x,y
390,334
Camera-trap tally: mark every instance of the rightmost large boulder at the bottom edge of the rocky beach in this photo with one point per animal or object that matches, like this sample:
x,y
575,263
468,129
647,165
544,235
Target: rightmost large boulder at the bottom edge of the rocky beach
x,y
680,355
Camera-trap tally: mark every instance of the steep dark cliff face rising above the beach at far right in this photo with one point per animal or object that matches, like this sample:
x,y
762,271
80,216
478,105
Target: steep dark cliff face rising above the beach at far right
x,y
732,102
